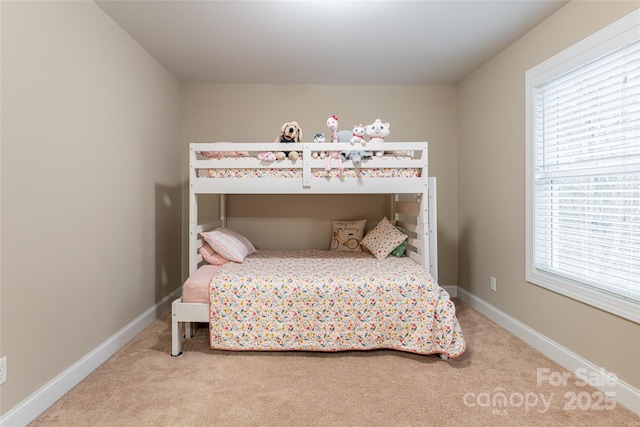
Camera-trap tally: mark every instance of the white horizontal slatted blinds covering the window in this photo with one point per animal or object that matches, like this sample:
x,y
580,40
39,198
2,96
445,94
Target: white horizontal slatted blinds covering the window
x,y
587,174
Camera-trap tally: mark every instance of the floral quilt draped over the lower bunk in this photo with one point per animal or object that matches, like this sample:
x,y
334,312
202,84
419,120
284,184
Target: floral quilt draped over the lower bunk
x,y
317,300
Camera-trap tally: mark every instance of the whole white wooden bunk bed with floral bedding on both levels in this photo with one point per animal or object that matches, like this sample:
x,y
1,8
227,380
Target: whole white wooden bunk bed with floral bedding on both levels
x,y
311,299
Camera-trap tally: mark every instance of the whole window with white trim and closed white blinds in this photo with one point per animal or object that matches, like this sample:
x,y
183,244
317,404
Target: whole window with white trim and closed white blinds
x,y
583,170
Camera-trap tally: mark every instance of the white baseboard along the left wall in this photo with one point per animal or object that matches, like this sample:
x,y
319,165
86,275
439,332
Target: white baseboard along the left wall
x,y
30,408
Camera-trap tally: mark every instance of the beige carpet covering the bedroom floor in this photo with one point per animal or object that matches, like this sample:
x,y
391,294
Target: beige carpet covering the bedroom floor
x,y
142,385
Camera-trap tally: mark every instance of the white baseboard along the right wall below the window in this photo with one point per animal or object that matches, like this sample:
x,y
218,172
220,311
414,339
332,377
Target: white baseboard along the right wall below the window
x,y
625,394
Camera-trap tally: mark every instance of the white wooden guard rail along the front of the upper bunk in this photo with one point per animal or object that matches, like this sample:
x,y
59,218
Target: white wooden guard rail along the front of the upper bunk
x,y
308,183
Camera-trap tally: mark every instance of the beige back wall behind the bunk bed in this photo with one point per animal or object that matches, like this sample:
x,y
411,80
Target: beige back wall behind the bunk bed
x,y
255,113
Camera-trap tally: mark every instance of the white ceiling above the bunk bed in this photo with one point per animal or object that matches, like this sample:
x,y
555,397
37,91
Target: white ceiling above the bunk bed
x,y
326,42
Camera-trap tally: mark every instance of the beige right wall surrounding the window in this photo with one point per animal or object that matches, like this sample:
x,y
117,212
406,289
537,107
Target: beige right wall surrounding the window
x,y
491,197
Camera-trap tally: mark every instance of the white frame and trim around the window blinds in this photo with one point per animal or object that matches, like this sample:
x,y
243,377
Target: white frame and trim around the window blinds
x,y
614,36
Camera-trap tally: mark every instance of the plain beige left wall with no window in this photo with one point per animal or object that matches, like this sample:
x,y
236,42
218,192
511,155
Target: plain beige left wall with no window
x,y
90,187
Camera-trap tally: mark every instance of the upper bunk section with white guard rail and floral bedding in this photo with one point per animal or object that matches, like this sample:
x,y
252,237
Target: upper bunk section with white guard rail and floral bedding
x,y
394,167
